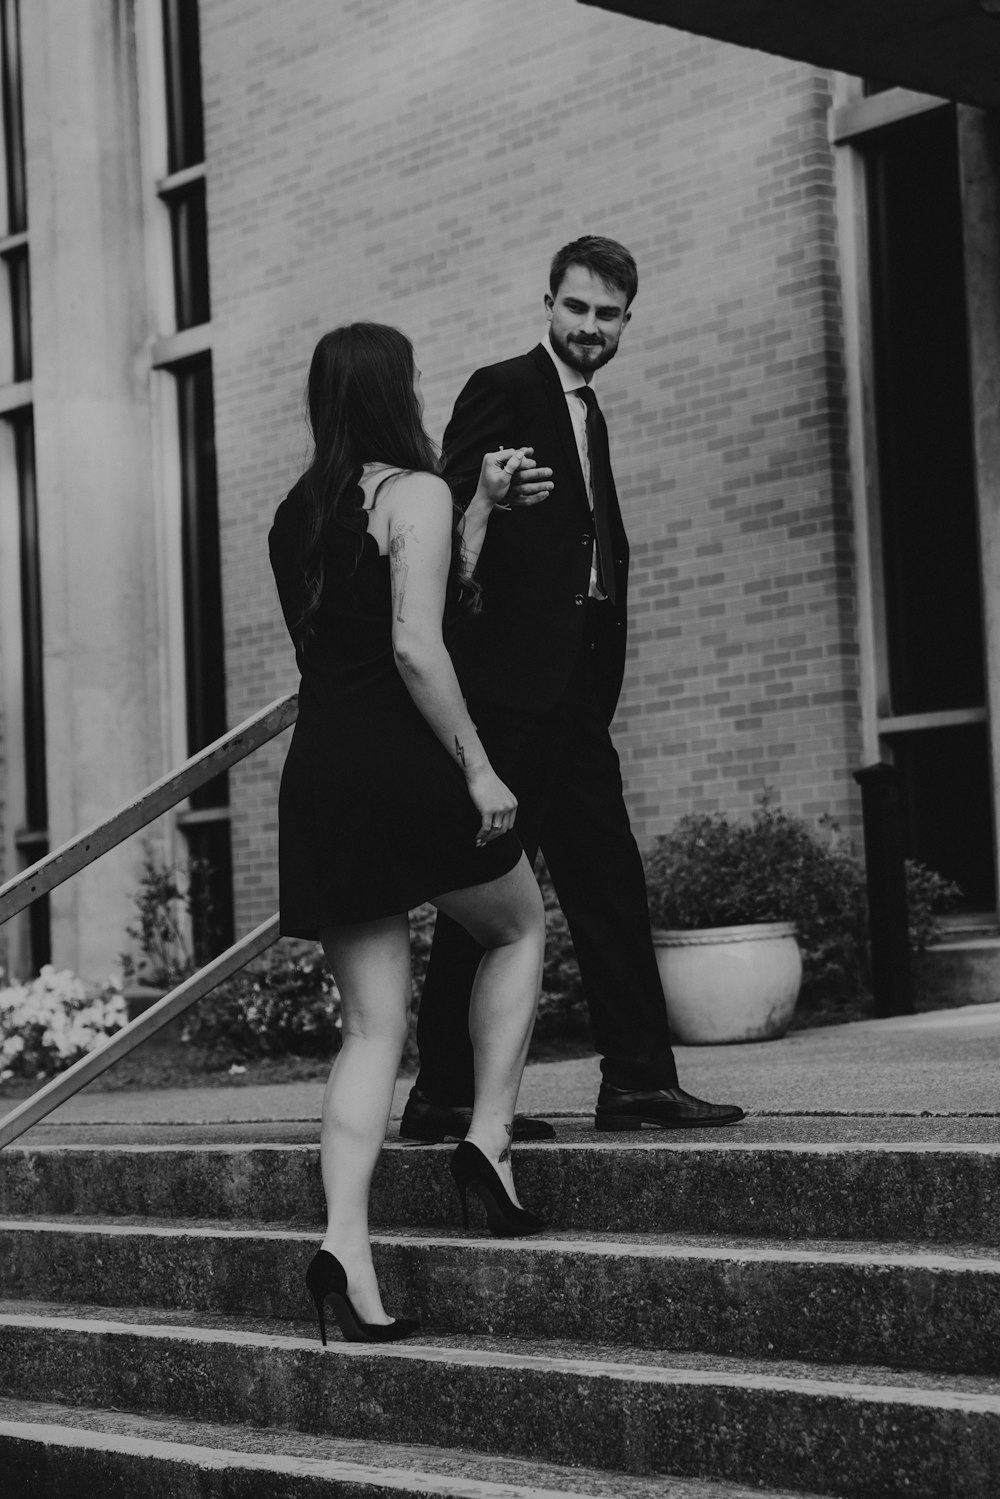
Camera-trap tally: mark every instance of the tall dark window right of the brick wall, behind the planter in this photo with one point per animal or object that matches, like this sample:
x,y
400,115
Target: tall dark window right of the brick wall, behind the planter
x,y
927,594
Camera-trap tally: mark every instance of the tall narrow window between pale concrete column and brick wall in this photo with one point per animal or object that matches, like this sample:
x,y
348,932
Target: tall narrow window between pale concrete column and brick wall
x,y
185,358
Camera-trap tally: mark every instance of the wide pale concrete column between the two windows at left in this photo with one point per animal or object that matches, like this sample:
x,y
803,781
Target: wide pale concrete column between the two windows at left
x,y
92,423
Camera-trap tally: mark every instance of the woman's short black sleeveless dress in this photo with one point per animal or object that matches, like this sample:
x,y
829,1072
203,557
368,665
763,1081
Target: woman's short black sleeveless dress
x,y
374,816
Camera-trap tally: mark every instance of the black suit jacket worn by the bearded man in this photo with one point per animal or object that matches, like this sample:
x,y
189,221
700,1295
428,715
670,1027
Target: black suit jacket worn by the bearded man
x,y
536,561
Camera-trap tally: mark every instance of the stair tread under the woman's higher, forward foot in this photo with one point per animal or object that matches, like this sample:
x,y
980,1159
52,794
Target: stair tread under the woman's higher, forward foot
x,y
656,1245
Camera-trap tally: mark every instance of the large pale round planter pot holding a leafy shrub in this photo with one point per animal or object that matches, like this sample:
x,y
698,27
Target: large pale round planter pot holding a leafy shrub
x,y
729,984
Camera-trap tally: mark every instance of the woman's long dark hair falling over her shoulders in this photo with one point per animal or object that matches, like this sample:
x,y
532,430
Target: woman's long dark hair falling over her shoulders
x,y
364,410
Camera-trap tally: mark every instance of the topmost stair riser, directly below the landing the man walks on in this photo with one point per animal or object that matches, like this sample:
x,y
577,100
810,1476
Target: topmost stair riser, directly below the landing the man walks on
x,y
936,1197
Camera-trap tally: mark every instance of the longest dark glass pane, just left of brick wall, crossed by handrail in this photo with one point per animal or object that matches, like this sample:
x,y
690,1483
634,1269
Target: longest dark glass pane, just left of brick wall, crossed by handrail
x,y
205,654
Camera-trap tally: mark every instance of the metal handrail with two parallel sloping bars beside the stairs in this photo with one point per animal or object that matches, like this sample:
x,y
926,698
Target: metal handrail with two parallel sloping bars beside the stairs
x,y
82,851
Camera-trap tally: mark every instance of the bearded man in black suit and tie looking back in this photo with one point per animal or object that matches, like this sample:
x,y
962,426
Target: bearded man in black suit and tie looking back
x,y
542,669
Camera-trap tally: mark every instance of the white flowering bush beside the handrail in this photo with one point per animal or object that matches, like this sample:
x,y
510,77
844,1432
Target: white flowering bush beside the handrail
x,y
52,1022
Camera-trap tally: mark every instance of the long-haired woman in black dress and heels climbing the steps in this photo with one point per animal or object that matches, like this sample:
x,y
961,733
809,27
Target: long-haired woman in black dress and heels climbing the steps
x,y
388,798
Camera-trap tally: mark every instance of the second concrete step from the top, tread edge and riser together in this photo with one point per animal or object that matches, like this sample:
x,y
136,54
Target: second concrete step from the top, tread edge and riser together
x,y
915,1308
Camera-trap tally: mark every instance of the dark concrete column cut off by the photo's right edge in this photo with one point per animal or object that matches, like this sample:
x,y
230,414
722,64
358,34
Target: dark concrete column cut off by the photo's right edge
x,y
980,157
